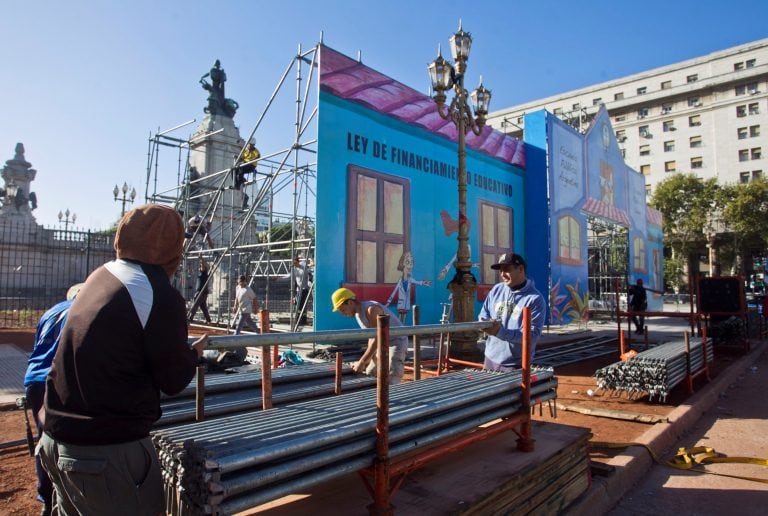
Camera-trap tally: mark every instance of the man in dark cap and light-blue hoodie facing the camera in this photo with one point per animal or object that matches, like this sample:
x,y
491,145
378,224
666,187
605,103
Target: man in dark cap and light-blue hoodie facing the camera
x,y
504,306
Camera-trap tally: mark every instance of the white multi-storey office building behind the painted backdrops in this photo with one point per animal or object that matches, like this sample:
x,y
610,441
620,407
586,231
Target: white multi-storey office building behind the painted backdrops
x,y
707,116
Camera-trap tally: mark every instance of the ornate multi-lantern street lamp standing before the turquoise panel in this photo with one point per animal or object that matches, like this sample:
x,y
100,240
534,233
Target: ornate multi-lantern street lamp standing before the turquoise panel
x,y
445,76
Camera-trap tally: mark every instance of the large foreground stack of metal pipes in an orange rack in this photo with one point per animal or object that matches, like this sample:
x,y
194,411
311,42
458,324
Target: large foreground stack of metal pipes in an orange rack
x,y
238,462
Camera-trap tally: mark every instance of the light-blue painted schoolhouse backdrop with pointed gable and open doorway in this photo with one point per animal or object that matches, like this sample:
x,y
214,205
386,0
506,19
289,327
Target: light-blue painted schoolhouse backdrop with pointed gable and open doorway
x,y
589,179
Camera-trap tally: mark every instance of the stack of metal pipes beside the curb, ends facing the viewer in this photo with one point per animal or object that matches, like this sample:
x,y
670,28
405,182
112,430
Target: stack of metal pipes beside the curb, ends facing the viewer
x,y
656,371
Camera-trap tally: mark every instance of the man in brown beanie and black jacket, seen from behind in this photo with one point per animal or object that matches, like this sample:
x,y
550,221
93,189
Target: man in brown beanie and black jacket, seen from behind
x,y
125,341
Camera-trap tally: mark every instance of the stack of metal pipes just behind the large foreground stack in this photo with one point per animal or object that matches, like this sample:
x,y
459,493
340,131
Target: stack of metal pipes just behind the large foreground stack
x,y
238,392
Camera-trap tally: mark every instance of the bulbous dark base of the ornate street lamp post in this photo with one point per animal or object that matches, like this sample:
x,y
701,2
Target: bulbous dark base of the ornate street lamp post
x,y
463,345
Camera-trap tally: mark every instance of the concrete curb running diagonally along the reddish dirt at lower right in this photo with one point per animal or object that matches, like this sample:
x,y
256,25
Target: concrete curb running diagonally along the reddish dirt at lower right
x,y
605,492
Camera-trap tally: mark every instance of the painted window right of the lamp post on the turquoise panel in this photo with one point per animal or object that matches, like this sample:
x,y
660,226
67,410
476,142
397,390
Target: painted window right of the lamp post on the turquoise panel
x,y
496,230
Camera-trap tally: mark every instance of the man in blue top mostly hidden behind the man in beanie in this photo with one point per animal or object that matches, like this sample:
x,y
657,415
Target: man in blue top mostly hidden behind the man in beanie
x,y
38,365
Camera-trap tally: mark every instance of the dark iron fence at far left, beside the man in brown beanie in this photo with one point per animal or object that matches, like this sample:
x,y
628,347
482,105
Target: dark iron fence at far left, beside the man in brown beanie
x,y
38,265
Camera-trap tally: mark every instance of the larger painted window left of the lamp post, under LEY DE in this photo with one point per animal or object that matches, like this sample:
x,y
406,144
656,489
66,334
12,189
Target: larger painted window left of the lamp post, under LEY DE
x,y
378,232
